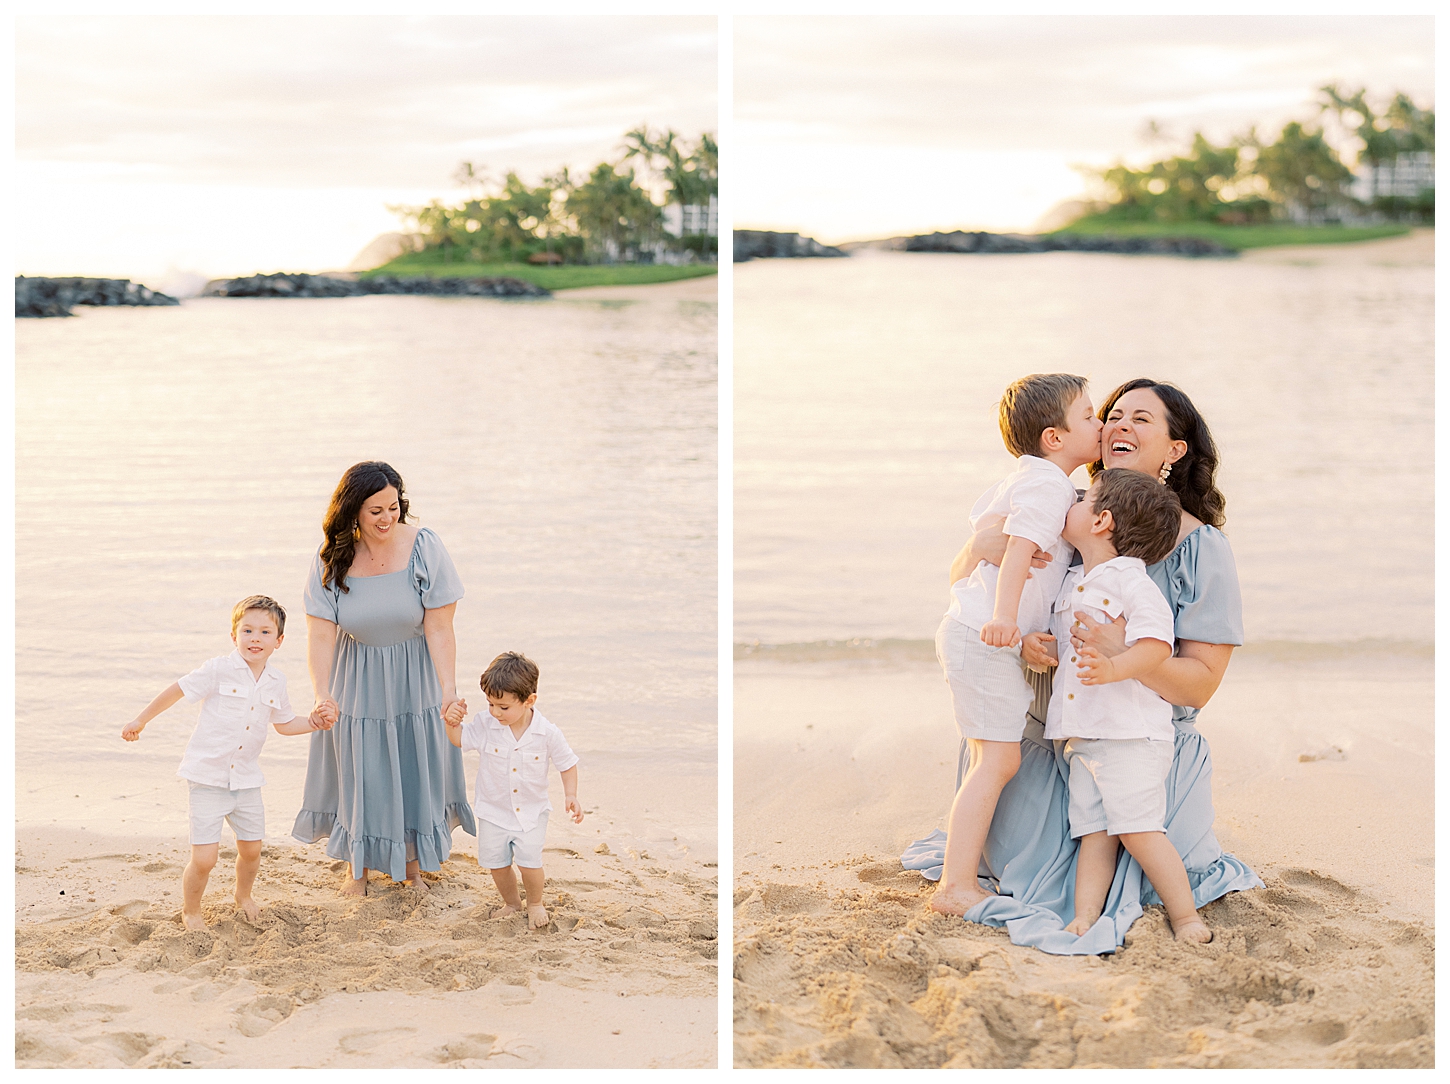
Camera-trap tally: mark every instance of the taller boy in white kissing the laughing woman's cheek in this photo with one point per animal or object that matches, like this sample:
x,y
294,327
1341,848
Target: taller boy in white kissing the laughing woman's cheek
x,y
1049,424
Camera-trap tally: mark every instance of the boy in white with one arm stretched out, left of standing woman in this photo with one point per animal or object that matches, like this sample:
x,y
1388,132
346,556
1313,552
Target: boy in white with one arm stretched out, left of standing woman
x,y
243,695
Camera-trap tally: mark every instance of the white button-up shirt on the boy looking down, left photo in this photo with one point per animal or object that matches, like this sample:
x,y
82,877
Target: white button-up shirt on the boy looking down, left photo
x,y
513,785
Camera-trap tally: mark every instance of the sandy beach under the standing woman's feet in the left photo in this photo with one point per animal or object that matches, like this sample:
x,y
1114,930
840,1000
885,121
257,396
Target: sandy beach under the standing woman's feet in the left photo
x,y
108,977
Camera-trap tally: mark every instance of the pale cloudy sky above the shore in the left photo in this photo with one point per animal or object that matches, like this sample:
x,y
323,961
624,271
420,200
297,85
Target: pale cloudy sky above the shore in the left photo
x,y
165,149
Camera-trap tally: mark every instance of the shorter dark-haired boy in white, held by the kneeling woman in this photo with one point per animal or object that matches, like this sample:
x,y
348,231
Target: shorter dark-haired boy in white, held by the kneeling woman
x,y
1120,733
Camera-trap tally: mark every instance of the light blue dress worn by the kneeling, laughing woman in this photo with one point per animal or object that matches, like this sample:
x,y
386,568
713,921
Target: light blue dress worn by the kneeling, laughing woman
x,y
1030,854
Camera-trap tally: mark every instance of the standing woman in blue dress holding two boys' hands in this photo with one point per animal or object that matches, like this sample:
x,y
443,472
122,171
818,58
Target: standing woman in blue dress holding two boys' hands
x,y
385,785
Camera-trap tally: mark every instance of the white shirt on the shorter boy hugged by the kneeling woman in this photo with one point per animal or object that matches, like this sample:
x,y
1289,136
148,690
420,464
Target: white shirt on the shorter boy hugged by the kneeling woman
x,y
1120,709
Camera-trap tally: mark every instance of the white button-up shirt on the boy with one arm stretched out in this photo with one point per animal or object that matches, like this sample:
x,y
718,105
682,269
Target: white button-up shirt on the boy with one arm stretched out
x,y
237,714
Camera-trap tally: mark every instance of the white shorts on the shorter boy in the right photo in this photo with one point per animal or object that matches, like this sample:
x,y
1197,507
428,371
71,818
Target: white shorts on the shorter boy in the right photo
x,y
1117,785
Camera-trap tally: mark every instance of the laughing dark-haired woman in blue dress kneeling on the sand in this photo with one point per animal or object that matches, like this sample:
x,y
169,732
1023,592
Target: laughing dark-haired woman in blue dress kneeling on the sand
x,y
1030,857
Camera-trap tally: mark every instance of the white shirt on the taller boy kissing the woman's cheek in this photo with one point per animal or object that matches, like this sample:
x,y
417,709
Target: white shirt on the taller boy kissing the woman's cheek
x,y
1033,502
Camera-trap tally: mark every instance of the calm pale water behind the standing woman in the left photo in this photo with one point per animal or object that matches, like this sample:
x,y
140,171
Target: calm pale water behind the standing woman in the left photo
x,y
172,462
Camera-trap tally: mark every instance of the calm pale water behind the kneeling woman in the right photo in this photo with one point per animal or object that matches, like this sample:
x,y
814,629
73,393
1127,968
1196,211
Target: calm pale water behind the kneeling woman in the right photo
x,y
866,428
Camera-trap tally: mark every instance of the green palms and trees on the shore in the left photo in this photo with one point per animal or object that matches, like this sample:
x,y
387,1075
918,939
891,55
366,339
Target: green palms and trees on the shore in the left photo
x,y
604,217
